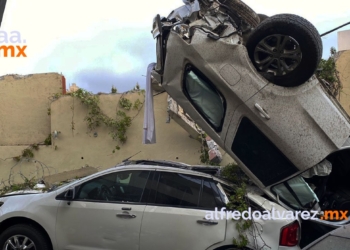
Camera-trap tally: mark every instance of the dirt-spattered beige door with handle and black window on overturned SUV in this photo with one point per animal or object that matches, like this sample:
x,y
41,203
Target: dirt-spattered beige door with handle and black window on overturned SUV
x,y
281,132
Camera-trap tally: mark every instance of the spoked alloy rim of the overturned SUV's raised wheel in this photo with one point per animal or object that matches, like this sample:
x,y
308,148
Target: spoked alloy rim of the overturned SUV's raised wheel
x,y
277,54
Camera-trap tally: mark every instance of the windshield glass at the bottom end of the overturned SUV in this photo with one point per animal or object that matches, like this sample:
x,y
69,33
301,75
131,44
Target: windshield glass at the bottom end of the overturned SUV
x,y
296,193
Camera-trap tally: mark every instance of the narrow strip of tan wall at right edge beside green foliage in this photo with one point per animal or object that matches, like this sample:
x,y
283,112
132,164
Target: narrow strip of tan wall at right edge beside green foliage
x,y
343,66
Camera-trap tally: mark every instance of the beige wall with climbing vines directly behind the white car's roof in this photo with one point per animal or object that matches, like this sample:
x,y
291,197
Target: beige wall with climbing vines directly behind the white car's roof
x,y
76,148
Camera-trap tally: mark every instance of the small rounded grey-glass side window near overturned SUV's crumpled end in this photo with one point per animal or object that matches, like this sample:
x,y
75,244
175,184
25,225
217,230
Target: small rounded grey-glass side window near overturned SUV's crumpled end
x,y
204,97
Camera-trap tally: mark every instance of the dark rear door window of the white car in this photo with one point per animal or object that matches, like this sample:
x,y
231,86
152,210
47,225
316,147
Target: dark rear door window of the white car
x,y
178,190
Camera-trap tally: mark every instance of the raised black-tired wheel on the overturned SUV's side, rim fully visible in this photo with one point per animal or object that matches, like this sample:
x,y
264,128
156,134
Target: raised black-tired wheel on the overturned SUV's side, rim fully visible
x,y
287,46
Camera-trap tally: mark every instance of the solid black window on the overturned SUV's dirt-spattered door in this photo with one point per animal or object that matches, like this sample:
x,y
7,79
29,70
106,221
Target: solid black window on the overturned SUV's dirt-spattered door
x,y
260,155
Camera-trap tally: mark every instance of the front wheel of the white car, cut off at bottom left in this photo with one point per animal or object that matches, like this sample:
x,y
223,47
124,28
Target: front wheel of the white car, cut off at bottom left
x,y
23,237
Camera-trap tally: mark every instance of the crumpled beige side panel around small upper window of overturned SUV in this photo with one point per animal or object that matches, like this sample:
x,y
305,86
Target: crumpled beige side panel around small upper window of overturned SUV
x,y
209,80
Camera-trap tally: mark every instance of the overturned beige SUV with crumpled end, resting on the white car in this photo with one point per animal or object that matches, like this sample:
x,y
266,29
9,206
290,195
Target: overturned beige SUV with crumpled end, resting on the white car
x,y
248,81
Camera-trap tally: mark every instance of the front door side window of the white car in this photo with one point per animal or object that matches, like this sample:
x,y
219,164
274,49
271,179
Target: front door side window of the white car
x,y
124,186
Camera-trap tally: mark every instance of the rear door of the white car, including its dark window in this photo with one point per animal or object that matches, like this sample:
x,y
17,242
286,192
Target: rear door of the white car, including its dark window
x,y
175,216
